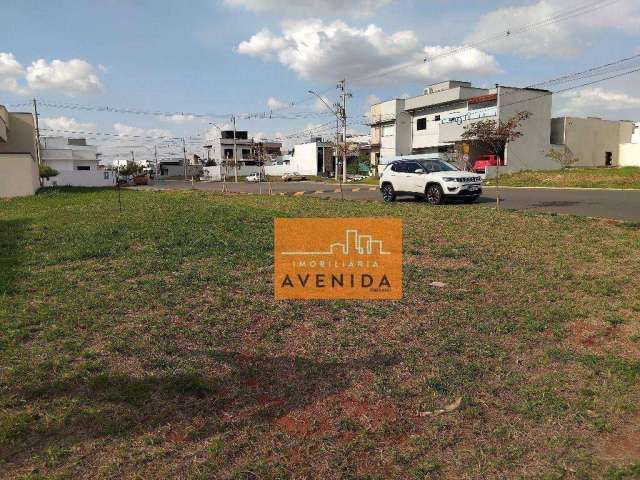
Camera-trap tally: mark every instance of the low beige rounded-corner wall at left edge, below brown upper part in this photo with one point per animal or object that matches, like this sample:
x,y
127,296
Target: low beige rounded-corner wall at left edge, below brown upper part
x,y
18,175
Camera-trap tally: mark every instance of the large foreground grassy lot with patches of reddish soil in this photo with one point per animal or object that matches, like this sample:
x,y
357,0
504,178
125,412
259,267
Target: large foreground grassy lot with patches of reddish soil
x,y
148,345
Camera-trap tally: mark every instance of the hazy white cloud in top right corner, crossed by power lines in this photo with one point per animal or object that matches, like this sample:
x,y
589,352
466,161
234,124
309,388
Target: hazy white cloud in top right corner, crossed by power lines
x,y
555,39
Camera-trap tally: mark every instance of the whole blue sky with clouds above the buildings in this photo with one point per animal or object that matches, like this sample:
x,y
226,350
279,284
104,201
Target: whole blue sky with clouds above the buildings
x,y
232,56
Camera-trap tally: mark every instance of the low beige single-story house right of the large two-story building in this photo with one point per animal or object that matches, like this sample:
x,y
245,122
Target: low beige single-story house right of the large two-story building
x,y
594,142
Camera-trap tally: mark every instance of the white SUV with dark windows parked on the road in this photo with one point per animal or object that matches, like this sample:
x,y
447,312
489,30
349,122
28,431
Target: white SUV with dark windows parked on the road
x,y
434,180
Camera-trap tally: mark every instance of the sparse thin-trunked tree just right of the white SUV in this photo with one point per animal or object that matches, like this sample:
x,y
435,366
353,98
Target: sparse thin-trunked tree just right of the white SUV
x,y
496,136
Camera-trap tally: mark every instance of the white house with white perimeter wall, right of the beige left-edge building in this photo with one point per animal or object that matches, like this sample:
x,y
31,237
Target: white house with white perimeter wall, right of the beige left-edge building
x,y
75,161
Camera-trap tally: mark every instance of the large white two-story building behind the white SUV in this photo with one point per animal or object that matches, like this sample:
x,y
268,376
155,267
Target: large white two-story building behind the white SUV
x,y
432,124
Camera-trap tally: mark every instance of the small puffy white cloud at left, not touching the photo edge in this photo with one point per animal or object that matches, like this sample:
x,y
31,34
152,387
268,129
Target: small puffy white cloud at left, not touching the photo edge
x,y
73,77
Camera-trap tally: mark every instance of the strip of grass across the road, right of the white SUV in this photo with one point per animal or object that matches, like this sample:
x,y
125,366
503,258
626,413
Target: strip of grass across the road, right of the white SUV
x,y
626,177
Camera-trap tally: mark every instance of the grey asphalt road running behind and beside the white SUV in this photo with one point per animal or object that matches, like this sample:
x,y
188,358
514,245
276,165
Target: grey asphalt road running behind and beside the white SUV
x,y
616,204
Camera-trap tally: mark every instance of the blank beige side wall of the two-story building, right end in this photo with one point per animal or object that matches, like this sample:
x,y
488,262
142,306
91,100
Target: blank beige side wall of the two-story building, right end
x,y
529,152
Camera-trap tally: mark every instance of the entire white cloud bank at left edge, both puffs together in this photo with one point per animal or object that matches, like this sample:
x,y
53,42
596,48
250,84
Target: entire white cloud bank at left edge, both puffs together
x,y
73,77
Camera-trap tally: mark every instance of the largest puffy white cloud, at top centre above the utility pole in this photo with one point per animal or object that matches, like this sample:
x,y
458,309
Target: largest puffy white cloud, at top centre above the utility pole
x,y
328,51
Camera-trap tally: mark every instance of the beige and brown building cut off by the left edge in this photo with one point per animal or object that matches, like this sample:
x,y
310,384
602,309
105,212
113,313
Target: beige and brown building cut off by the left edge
x,y
18,159
